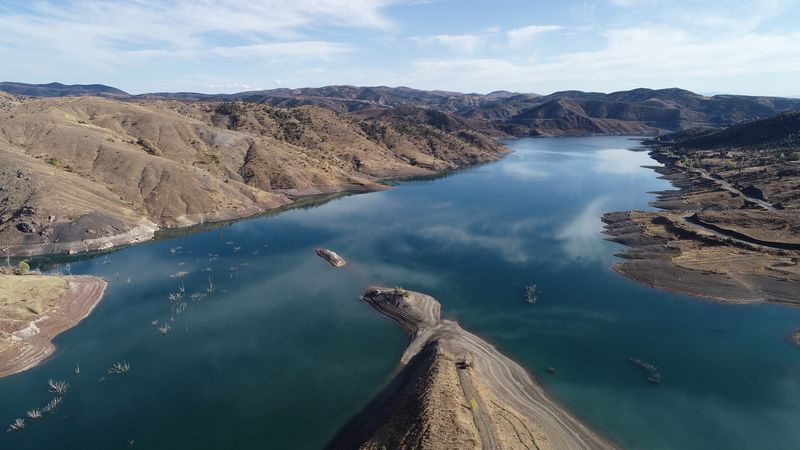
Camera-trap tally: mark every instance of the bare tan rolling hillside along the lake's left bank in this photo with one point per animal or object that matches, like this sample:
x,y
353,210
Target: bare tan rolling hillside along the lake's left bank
x,y
88,173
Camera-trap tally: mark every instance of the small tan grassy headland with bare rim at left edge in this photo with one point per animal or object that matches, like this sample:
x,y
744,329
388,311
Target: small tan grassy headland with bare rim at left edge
x,y
35,308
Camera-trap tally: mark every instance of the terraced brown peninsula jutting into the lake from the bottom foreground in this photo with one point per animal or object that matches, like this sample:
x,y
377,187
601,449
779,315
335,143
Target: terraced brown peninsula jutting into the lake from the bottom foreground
x,y
455,390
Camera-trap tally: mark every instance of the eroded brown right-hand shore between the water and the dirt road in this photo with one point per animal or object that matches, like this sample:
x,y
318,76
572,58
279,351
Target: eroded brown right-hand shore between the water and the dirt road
x,y
678,249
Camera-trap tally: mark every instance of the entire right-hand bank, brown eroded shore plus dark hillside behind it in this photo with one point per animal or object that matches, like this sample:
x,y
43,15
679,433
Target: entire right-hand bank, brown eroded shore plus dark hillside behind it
x,y
731,231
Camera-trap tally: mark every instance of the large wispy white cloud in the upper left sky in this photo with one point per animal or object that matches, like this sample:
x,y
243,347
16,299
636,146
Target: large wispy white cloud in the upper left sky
x,y
110,34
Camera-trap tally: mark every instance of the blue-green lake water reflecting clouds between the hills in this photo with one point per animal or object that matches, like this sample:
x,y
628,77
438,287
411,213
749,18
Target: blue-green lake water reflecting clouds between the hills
x,y
282,353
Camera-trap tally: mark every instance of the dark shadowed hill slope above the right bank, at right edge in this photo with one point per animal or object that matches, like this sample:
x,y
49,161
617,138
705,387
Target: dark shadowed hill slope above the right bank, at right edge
x,y
778,133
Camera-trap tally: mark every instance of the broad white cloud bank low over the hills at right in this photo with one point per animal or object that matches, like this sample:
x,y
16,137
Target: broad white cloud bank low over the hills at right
x,y
632,57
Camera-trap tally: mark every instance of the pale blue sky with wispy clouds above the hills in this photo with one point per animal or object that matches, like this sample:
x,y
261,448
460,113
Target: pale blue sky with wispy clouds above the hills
x,y
738,47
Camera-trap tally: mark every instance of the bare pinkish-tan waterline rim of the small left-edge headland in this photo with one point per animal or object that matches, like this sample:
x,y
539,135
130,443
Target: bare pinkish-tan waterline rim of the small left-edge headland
x,y
31,343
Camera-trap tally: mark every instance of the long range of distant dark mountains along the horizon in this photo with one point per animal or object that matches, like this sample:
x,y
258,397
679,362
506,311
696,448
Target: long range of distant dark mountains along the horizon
x,y
500,113
